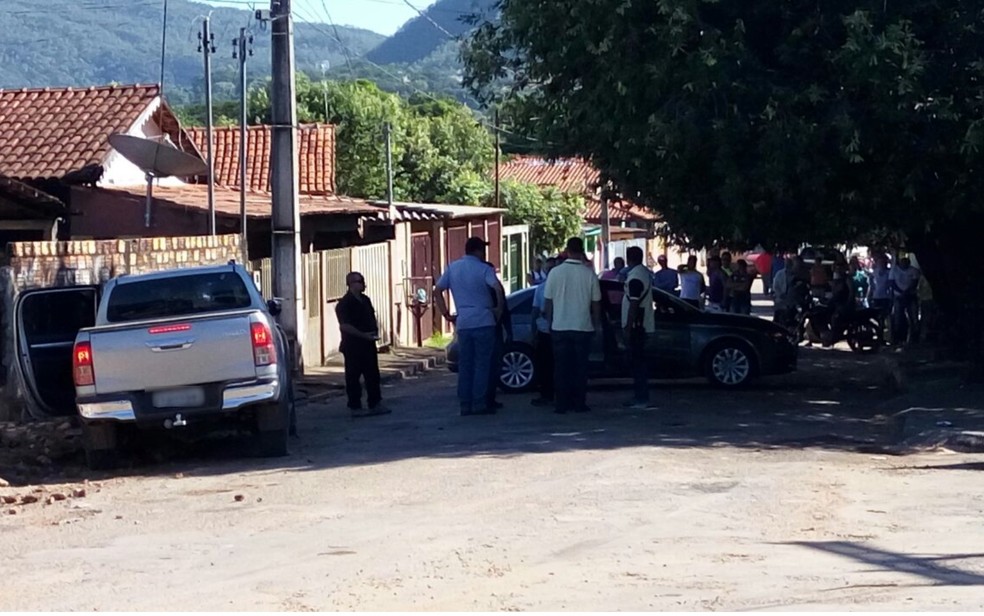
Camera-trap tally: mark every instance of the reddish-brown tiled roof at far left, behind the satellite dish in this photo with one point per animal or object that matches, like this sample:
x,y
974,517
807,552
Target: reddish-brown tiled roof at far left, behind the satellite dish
x,y
48,133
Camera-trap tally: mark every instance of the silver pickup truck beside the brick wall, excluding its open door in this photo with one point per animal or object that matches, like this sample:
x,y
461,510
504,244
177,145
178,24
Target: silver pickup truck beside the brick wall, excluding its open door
x,y
182,347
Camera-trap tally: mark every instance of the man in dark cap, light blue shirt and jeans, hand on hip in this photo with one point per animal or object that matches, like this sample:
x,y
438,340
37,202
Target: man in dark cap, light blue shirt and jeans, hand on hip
x,y
478,299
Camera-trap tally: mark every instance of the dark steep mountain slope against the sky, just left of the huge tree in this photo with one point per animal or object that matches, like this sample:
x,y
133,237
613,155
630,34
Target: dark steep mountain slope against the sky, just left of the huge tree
x,y
442,22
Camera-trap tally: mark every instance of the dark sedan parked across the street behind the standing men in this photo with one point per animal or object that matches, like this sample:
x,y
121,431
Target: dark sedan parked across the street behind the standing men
x,y
730,350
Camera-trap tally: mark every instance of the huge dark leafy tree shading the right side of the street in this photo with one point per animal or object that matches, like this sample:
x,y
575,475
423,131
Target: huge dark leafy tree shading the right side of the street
x,y
765,122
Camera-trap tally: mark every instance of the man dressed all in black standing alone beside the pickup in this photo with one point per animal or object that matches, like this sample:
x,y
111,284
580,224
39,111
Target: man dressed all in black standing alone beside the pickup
x,y
357,323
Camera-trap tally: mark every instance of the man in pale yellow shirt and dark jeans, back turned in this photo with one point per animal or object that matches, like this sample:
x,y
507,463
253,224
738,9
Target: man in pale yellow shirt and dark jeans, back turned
x,y
572,304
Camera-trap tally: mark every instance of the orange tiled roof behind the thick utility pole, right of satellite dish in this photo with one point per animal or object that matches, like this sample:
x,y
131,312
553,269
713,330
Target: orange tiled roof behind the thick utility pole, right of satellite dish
x,y
316,149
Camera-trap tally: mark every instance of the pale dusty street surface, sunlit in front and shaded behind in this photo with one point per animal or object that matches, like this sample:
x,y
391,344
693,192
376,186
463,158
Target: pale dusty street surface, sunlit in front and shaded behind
x,y
778,497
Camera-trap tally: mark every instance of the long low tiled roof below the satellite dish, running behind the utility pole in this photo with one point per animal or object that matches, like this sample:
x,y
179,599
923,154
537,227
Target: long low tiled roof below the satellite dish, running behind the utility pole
x,y
258,204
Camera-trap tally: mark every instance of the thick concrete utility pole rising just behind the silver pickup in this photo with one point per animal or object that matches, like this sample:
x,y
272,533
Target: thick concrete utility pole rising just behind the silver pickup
x,y
286,220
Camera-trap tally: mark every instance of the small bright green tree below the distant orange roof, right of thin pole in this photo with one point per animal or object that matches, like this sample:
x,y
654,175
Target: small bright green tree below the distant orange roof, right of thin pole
x,y
553,216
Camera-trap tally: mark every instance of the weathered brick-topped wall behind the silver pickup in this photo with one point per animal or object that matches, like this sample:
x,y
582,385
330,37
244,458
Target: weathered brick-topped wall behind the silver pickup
x,y
31,265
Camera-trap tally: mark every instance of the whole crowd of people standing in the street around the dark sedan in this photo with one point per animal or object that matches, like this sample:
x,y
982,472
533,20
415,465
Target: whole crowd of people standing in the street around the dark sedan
x,y
567,313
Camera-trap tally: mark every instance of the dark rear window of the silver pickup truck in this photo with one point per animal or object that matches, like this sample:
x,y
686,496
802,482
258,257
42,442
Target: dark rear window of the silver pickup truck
x,y
177,296
